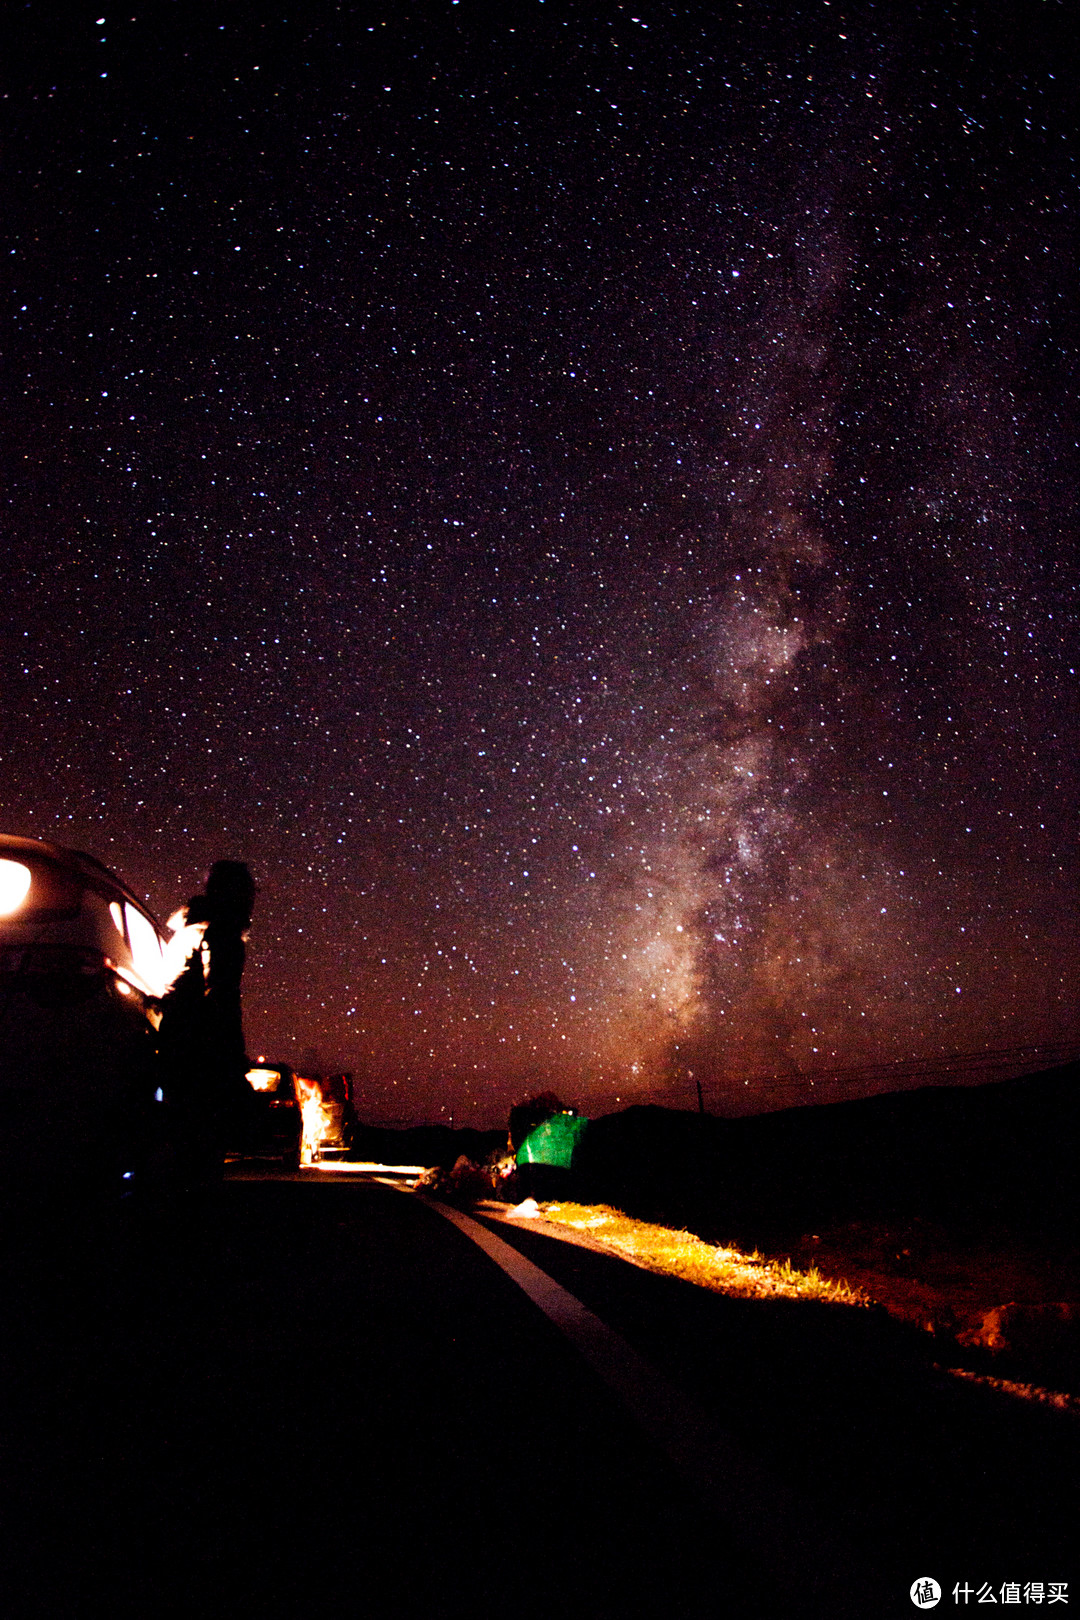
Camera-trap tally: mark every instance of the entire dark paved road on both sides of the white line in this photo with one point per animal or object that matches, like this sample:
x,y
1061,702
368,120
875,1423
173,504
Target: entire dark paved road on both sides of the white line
x,y
312,1392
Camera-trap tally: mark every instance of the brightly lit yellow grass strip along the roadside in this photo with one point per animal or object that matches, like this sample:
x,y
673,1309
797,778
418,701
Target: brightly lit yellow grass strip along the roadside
x,y
728,1271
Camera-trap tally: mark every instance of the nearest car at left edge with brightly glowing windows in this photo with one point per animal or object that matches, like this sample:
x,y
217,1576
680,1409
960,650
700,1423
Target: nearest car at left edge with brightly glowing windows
x,y
82,978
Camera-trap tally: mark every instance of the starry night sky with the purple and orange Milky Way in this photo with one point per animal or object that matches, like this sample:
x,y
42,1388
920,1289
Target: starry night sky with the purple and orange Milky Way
x,y
582,498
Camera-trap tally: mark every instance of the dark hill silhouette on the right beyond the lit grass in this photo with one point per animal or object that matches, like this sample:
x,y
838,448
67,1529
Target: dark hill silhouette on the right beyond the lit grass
x,y
972,1157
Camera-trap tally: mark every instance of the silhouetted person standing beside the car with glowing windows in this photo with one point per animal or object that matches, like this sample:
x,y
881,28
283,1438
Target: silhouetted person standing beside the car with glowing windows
x,y
202,1042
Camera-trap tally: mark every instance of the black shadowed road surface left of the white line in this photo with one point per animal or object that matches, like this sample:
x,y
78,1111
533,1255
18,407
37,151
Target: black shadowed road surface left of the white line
x,y
291,1399
